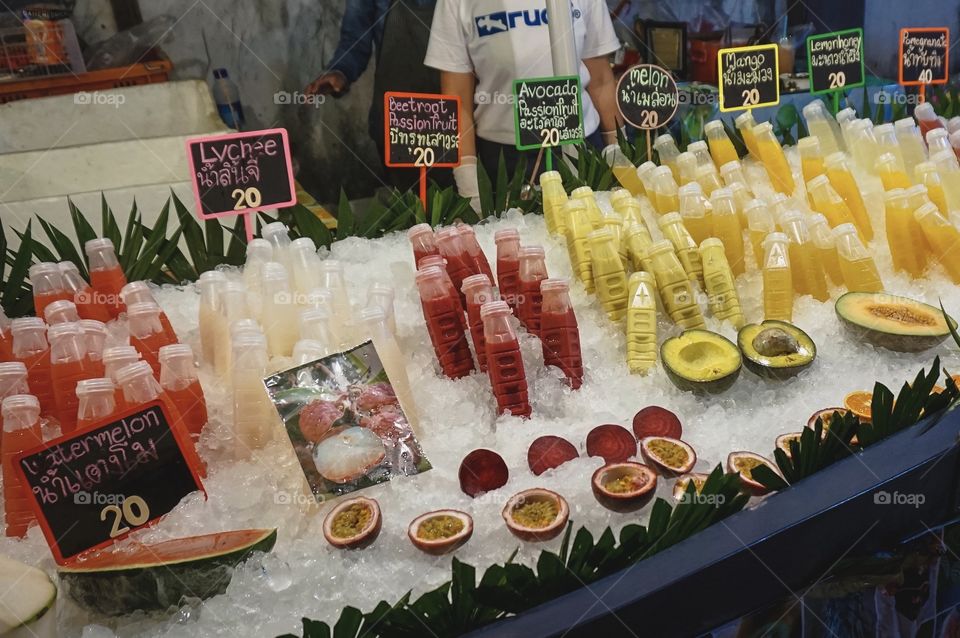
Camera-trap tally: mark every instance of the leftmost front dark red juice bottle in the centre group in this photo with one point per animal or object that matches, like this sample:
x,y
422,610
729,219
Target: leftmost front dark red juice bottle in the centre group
x,y
444,317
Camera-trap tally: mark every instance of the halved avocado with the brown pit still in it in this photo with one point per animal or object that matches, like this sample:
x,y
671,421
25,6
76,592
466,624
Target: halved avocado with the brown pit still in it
x,y
776,349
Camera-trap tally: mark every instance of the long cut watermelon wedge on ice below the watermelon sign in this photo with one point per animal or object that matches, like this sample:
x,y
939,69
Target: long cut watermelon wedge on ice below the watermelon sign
x,y
156,577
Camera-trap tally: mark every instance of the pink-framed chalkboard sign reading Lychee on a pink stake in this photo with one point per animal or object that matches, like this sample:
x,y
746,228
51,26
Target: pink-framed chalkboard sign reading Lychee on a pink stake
x,y
241,174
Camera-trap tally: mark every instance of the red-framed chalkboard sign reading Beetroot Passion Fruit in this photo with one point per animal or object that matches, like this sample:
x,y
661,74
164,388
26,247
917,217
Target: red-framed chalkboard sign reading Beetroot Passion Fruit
x,y
421,130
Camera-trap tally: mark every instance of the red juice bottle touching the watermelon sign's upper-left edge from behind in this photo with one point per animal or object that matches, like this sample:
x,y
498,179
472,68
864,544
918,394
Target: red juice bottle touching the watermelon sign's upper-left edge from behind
x,y
68,365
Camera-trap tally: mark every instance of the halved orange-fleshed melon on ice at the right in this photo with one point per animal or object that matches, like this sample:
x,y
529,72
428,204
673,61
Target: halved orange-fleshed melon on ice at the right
x,y
891,322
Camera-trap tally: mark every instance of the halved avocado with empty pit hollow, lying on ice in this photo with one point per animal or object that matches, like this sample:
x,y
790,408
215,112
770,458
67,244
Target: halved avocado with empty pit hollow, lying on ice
x,y
701,362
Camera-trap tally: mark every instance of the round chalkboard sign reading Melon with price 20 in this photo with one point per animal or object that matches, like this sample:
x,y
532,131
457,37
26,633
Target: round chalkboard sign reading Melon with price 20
x,y
647,96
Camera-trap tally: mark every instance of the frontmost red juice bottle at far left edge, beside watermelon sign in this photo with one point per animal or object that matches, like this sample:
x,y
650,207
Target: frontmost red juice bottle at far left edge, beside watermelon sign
x,y
21,432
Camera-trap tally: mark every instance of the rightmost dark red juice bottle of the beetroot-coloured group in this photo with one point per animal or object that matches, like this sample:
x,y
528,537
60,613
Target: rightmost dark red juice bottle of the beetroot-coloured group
x,y
560,333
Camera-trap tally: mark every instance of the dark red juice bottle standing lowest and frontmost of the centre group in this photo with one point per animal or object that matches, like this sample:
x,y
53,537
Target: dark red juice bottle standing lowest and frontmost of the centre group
x,y
507,374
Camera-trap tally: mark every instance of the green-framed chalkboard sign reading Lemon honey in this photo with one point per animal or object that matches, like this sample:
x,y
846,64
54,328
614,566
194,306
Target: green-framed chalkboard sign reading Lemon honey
x,y
836,61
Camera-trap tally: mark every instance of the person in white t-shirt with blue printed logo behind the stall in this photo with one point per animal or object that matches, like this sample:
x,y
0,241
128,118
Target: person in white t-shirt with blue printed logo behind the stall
x,y
482,46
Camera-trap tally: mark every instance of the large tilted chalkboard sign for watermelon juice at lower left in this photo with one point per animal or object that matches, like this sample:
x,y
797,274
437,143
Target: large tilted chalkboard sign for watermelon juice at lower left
x,y
90,488
